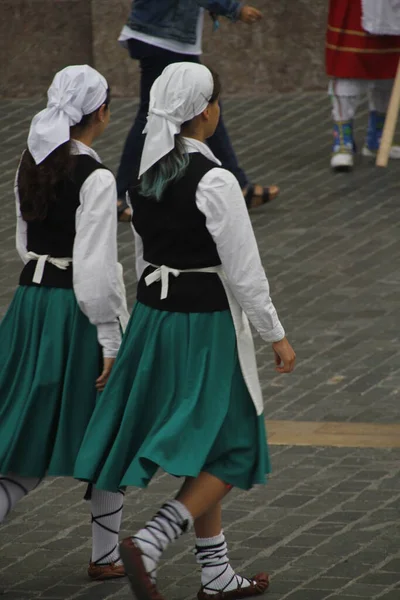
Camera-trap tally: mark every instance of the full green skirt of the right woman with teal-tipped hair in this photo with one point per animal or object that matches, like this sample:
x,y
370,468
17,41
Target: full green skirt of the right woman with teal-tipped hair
x,y
176,399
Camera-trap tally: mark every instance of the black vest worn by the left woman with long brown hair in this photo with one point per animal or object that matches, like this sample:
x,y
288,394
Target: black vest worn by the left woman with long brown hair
x,y
55,235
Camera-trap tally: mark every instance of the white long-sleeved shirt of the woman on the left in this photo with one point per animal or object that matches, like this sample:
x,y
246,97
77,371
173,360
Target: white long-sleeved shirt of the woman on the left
x,y
95,255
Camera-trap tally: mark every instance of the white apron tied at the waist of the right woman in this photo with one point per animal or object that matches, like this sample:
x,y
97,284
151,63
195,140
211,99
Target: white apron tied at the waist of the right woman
x,y
244,338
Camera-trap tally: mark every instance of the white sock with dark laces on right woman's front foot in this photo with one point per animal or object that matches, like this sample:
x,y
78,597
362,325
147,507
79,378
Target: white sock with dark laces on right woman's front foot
x,y
217,574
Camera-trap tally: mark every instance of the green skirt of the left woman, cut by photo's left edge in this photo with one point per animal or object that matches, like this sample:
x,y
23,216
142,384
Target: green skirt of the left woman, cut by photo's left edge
x,y
50,359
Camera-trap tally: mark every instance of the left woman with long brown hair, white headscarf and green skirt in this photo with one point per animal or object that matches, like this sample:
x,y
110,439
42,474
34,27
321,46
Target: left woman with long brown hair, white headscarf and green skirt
x,y
61,333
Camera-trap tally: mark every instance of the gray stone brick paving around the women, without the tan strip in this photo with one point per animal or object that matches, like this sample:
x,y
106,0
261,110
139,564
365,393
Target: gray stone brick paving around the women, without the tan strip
x,y
327,525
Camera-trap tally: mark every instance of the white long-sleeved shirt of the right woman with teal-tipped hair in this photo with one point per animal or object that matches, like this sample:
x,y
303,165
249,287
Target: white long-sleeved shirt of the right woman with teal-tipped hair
x,y
220,199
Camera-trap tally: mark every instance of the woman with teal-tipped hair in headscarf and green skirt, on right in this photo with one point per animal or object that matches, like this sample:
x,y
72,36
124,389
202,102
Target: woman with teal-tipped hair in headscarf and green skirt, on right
x,y
184,394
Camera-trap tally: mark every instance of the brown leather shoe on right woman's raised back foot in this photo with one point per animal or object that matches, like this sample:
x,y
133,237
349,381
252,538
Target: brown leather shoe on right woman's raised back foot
x,y
141,584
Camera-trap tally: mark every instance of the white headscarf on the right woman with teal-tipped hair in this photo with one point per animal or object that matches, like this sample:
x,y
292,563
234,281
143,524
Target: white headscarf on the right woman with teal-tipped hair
x,y
182,92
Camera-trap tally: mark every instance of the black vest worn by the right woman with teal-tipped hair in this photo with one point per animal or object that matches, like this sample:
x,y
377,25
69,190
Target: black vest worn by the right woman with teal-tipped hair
x,y
174,233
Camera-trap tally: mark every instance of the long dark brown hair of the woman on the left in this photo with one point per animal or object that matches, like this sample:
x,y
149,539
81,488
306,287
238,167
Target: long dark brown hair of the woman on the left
x,y
37,183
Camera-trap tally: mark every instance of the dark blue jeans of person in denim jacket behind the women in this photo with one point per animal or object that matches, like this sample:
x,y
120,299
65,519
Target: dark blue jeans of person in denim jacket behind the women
x,y
152,63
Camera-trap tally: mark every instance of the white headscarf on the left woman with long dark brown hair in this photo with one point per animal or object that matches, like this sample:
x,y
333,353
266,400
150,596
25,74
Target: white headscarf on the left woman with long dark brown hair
x,y
75,91
